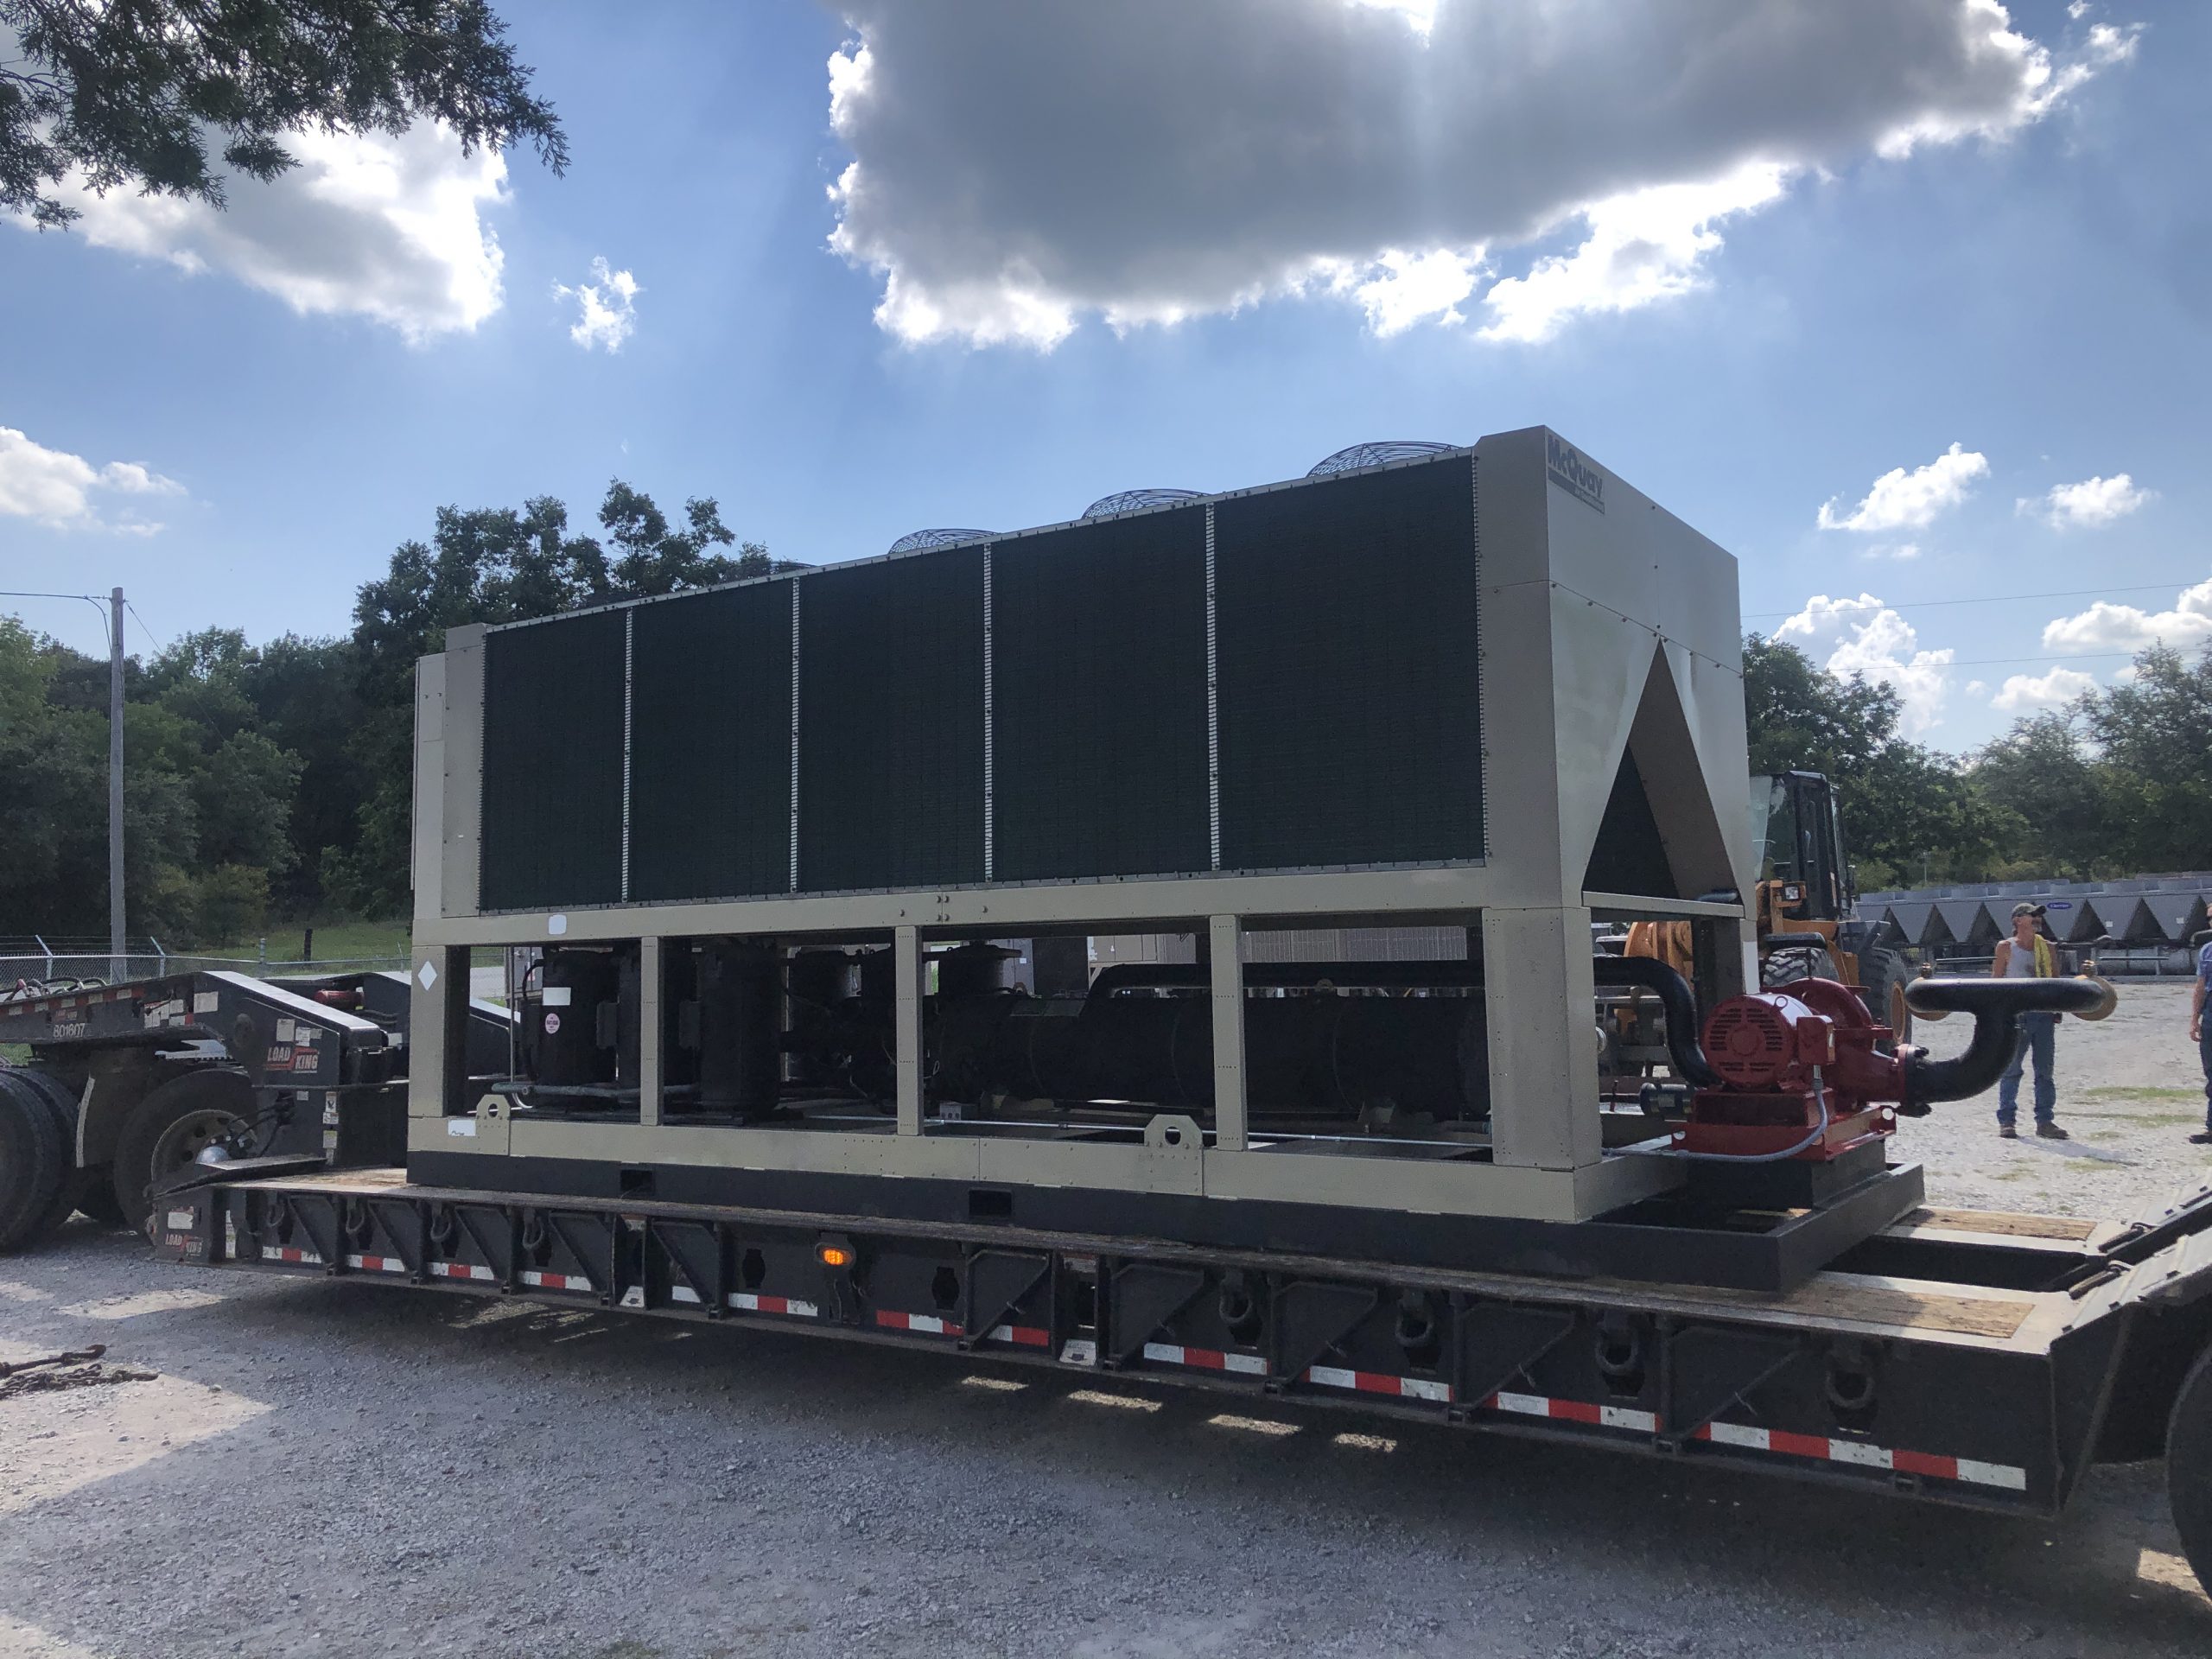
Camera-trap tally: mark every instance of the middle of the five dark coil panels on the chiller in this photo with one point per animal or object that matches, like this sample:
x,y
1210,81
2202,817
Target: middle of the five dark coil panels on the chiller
x,y
890,724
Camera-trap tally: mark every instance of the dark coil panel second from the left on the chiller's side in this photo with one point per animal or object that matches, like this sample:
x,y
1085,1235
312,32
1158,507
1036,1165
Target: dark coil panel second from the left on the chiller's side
x,y
711,744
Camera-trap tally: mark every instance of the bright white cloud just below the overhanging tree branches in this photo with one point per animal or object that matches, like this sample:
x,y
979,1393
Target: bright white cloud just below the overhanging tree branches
x,y
371,227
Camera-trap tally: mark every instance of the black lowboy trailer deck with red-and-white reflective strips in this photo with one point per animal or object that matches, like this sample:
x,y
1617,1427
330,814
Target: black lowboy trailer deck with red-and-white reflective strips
x,y
1963,1388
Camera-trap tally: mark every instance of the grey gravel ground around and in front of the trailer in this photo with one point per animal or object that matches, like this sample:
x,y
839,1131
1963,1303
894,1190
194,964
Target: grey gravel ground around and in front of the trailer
x,y
340,1470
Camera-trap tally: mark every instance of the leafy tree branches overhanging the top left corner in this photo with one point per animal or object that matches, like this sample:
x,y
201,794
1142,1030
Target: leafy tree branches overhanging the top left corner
x,y
129,92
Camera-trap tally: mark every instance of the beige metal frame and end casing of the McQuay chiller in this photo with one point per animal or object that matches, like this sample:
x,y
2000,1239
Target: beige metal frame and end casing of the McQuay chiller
x,y
1609,627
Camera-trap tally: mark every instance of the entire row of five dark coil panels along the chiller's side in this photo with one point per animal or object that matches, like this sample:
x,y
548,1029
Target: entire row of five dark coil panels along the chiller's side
x,y
1258,682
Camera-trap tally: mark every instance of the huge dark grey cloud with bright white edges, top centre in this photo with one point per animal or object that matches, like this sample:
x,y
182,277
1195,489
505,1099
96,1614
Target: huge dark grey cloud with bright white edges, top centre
x,y
1021,169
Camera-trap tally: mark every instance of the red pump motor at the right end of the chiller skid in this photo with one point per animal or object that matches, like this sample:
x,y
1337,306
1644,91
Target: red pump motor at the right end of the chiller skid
x,y
1782,1056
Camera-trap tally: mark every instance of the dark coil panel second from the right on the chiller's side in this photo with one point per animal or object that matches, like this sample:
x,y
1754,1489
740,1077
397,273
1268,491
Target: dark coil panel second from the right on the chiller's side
x,y
1098,678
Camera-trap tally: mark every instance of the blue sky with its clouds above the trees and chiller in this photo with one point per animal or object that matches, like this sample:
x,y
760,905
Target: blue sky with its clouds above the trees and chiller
x,y
1768,315
